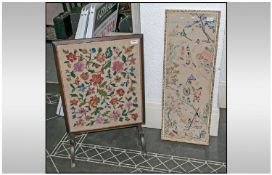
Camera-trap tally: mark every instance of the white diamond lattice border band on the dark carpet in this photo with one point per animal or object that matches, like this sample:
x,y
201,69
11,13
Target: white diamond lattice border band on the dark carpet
x,y
153,162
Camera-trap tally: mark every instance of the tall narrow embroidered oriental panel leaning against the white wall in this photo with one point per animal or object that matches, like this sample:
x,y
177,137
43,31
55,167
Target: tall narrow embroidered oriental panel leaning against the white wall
x,y
189,62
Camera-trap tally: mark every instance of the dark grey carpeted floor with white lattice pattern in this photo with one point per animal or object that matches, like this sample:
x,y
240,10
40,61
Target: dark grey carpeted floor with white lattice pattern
x,y
118,151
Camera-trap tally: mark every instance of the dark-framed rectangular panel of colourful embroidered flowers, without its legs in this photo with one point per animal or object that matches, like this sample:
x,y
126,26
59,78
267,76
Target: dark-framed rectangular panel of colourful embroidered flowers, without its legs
x,y
101,82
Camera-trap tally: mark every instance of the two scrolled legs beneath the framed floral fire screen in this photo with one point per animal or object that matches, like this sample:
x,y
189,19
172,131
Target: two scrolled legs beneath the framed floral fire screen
x,y
140,134
